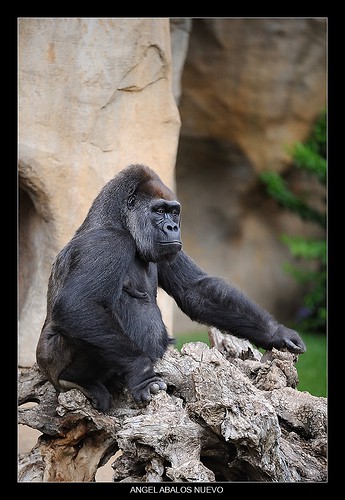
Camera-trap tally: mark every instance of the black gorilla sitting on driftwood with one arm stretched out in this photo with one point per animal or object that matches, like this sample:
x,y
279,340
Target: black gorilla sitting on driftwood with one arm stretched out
x,y
103,330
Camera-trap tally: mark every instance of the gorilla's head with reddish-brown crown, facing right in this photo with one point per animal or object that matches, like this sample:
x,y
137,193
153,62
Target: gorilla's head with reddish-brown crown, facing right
x,y
137,200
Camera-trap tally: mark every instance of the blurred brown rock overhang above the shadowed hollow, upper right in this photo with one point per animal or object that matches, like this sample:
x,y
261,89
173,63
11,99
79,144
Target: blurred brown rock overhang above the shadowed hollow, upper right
x,y
257,83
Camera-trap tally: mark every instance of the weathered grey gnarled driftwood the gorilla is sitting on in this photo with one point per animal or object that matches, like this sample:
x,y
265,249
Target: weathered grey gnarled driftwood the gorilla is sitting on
x,y
230,414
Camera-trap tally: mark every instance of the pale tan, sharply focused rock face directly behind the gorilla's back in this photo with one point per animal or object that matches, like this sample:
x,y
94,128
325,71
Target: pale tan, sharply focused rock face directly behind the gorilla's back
x,y
95,95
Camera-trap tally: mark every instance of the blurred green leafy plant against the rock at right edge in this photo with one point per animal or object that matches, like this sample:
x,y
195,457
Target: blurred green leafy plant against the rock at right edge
x,y
309,157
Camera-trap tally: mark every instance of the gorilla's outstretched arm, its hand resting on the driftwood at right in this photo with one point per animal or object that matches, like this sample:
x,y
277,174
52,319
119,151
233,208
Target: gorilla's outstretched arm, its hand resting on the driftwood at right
x,y
212,301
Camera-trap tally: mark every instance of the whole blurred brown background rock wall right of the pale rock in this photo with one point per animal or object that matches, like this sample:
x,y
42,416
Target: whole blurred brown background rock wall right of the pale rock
x,y
250,88
